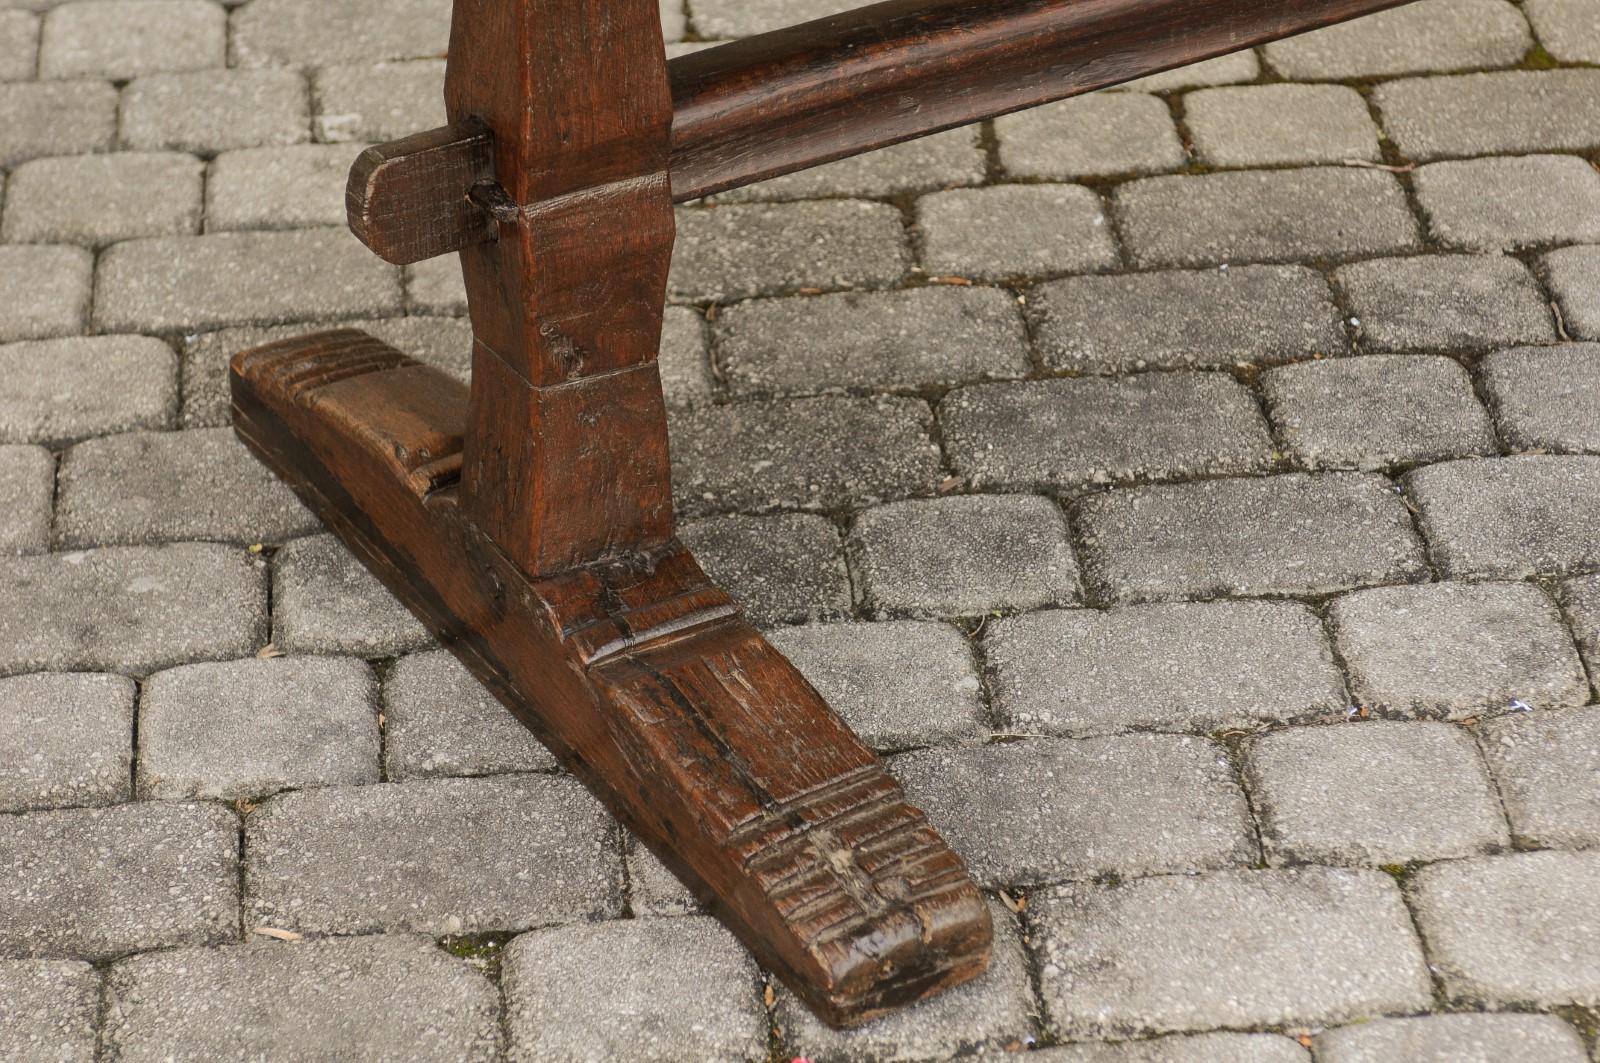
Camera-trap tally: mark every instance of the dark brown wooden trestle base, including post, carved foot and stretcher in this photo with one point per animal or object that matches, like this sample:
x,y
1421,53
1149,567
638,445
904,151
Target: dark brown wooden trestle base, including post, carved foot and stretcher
x,y
529,521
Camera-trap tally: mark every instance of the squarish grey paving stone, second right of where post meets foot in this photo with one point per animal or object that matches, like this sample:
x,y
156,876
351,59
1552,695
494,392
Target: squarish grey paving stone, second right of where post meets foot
x,y
964,556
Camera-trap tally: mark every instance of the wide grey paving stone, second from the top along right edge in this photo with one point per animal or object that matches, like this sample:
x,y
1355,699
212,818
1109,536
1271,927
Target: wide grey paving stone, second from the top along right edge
x,y
1479,114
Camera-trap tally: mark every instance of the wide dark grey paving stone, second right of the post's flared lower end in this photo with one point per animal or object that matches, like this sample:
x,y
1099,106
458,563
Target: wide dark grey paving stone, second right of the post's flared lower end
x,y
1070,433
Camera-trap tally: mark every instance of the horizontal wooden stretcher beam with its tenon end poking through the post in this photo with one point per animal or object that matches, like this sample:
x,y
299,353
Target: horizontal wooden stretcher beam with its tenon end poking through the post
x,y
839,87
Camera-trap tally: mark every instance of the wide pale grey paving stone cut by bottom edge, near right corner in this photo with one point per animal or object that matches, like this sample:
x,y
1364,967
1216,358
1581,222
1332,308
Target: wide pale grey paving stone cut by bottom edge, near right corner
x,y
1454,1040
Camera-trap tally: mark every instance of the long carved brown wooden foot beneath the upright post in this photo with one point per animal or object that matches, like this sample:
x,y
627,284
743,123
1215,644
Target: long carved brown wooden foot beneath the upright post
x,y
644,680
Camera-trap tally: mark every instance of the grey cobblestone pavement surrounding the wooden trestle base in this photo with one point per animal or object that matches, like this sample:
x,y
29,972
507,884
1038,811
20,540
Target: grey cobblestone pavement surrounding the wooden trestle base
x,y
1194,489
